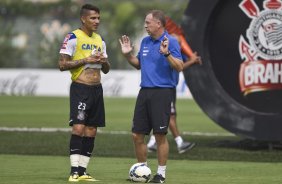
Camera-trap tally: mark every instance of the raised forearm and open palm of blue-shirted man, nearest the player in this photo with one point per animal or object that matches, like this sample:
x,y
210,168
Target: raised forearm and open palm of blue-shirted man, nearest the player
x,y
126,49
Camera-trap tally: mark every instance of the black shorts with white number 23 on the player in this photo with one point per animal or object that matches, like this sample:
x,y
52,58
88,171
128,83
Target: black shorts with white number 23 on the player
x,y
87,105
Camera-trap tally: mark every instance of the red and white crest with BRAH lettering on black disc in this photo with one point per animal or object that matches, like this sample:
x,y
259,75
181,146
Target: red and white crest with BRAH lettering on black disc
x,y
262,52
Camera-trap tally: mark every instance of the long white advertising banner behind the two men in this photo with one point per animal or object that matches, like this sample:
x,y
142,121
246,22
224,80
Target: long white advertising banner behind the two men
x,y
52,82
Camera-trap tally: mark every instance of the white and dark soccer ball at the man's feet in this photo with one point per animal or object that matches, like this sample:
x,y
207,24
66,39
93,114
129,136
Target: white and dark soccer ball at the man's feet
x,y
139,172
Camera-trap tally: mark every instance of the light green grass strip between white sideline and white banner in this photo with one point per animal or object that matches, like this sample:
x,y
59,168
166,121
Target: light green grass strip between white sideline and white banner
x,y
28,111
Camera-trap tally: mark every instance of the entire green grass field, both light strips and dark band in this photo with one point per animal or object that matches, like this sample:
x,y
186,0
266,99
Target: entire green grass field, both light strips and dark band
x,y
42,157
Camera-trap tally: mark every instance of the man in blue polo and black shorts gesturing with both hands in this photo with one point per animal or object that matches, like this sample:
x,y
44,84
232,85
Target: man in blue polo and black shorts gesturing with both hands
x,y
159,60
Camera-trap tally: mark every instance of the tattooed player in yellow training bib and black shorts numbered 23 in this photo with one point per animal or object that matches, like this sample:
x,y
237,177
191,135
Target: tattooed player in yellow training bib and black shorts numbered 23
x,y
83,52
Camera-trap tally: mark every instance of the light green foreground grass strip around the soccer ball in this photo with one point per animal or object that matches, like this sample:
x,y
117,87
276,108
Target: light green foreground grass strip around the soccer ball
x,y
17,169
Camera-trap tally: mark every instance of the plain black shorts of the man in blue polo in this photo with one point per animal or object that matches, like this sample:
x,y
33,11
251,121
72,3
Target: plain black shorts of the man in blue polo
x,y
152,110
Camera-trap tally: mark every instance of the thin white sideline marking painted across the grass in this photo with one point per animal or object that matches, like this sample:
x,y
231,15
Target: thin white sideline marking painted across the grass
x,y
43,129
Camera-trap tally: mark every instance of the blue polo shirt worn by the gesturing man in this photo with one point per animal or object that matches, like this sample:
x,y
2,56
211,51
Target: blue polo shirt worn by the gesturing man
x,y
155,69
